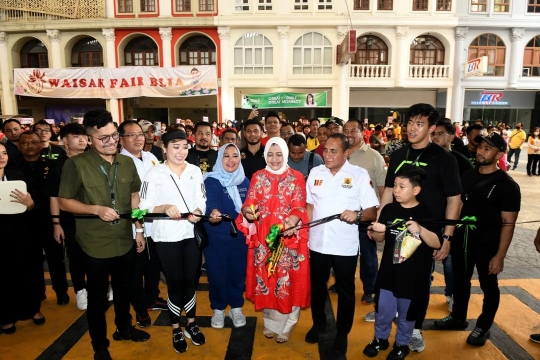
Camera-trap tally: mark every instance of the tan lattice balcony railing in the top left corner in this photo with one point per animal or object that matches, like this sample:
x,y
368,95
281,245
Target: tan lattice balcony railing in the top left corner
x,y
46,10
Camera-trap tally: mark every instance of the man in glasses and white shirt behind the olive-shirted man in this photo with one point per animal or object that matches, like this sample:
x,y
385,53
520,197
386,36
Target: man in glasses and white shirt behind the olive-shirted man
x,y
144,293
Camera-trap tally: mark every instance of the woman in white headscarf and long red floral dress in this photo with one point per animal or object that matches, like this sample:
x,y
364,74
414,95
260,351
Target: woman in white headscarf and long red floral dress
x,y
277,196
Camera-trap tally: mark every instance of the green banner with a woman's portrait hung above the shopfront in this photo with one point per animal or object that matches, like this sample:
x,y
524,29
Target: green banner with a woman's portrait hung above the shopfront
x,y
284,100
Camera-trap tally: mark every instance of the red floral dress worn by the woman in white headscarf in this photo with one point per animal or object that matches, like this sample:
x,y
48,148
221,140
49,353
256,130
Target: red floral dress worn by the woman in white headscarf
x,y
277,197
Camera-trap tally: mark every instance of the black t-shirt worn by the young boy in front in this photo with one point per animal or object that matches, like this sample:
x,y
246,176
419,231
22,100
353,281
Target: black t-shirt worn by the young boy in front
x,y
410,279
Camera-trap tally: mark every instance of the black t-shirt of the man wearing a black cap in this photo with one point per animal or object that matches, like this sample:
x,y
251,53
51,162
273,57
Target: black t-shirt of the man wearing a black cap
x,y
486,204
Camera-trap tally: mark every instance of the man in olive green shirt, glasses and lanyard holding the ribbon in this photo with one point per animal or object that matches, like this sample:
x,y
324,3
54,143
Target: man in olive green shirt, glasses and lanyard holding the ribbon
x,y
105,184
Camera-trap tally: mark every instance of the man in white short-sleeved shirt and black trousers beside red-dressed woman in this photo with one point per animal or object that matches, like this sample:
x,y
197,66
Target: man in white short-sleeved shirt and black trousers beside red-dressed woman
x,y
336,188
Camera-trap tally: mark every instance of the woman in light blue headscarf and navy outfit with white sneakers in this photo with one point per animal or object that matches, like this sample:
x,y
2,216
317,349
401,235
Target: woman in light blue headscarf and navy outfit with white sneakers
x,y
226,254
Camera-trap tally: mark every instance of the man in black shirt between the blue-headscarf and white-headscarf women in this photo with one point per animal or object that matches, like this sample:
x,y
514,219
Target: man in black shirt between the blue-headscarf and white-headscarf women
x,y
253,153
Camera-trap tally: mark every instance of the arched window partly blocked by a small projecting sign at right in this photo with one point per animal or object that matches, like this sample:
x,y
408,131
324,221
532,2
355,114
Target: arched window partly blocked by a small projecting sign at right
x,y
493,47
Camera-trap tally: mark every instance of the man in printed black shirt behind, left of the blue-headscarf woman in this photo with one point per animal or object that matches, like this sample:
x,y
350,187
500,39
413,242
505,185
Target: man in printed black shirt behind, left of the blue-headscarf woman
x,y
201,155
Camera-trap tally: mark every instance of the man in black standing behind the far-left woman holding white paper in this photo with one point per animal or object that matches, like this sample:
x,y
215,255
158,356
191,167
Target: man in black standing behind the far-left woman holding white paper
x,y
35,169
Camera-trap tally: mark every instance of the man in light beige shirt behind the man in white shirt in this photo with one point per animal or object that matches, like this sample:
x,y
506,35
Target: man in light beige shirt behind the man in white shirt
x,y
364,156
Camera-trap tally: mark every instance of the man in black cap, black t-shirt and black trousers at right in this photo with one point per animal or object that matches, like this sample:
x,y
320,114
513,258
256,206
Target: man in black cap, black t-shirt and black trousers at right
x,y
493,199
